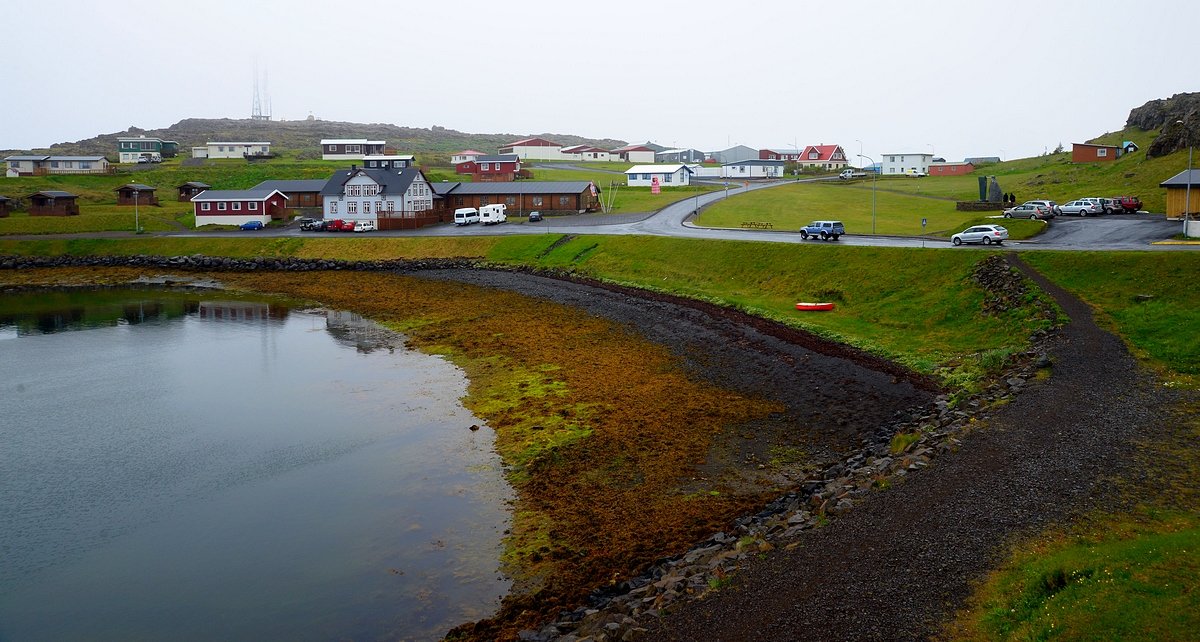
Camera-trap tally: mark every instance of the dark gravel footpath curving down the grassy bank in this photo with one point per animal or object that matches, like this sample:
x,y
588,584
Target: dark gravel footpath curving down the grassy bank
x,y
903,561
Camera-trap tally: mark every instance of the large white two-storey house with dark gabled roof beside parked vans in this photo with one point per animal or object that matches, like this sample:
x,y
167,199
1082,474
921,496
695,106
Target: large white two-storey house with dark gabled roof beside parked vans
x,y
368,195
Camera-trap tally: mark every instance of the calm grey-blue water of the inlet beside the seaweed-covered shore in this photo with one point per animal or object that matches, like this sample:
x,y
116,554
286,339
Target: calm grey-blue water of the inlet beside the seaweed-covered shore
x,y
182,466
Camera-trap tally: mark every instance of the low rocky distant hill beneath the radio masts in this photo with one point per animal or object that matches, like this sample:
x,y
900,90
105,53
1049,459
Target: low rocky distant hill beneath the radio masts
x,y
304,136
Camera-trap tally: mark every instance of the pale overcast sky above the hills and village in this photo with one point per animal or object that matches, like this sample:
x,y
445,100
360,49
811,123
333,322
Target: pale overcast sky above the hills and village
x,y
956,77
